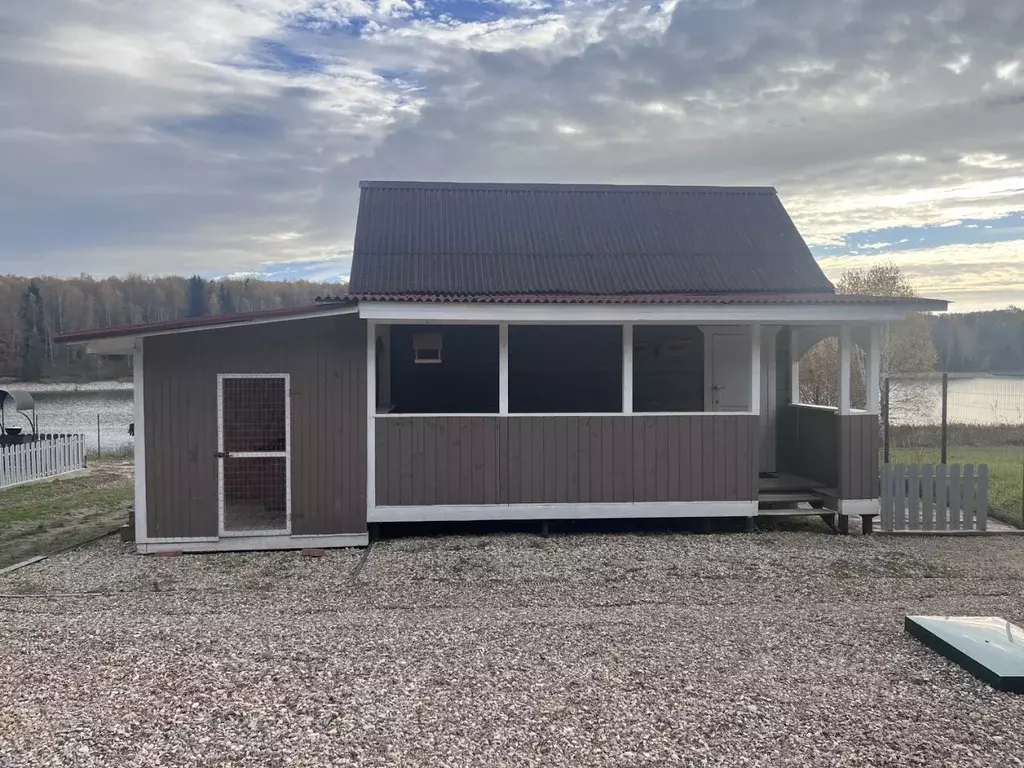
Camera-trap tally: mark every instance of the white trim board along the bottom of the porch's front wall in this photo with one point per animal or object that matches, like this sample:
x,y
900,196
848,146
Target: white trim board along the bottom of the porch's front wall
x,y
466,514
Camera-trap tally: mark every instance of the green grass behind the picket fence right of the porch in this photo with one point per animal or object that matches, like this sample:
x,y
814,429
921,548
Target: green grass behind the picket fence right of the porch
x,y
1006,474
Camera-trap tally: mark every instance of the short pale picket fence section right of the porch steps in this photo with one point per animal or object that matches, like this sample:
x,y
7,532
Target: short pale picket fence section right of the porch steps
x,y
934,497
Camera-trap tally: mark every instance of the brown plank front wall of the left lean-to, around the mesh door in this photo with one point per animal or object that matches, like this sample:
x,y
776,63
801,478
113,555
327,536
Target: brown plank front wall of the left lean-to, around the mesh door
x,y
326,358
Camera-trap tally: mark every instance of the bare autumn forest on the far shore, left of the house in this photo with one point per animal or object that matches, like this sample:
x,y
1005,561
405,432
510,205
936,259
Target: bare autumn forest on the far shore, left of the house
x,y
33,311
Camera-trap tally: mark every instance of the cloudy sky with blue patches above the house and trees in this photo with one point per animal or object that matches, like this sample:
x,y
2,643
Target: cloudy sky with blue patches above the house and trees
x,y
229,137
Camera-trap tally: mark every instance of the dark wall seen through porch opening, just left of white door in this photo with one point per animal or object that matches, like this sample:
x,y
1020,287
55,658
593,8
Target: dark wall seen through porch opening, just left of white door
x,y
668,369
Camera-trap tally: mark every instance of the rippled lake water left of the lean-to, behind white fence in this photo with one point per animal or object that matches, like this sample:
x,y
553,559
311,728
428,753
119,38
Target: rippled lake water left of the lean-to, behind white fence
x,y
74,409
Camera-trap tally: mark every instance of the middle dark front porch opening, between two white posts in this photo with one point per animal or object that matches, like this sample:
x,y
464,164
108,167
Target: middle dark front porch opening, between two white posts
x,y
566,369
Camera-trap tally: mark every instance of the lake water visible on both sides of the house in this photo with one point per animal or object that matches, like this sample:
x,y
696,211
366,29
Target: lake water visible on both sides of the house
x,y
74,408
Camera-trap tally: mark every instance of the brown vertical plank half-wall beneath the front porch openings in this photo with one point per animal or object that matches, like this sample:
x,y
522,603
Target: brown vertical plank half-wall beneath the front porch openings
x,y
570,459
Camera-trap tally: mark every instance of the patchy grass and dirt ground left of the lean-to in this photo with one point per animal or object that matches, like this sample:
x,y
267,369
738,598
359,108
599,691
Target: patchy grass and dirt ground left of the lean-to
x,y
42,519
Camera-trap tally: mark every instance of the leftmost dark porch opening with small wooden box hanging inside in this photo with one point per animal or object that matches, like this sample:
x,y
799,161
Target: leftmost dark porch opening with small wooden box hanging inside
x,y
443,369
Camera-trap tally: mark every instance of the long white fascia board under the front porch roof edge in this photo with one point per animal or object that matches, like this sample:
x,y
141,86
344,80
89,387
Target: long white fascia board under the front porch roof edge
x,y
617,315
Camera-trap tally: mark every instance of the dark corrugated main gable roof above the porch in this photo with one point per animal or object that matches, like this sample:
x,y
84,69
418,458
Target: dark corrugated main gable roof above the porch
x,y
431,239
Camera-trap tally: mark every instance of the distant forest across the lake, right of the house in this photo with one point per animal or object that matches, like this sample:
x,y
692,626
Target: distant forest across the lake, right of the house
x,y
980,343
